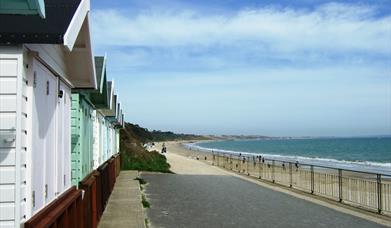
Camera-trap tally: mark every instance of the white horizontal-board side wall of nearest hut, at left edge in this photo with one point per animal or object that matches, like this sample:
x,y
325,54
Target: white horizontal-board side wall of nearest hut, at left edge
x,y
13,133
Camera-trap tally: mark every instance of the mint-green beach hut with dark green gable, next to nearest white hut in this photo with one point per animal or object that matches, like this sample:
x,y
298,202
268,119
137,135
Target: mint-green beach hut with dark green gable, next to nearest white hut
x,y
87,124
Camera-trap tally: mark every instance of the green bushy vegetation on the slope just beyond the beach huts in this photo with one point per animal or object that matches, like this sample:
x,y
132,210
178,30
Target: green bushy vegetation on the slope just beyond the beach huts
x,y
135,157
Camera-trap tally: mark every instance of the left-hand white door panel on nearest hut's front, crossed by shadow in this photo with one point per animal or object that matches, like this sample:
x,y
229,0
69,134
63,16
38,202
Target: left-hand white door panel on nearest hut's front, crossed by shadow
x,y
44,102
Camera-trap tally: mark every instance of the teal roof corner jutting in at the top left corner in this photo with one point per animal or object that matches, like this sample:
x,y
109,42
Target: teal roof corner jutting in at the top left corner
x,y
25,7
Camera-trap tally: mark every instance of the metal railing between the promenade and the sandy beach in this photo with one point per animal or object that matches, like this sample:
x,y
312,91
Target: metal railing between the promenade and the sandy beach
x,y
371,191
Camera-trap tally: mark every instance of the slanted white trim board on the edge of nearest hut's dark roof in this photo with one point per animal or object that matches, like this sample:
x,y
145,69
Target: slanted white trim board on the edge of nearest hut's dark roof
x,y
73,30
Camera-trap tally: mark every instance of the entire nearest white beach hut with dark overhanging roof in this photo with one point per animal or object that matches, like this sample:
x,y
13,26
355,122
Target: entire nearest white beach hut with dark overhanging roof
x,y
41,60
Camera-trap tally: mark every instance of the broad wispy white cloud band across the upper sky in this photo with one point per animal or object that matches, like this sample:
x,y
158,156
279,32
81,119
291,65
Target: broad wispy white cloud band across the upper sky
x,y
329,28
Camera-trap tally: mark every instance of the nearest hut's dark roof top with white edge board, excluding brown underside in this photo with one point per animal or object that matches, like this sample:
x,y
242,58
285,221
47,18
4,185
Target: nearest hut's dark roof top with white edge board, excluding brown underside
x,y
61,19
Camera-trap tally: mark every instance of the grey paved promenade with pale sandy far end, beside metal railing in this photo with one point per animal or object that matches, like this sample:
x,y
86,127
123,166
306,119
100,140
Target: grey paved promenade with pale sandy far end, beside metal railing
x,y
200,195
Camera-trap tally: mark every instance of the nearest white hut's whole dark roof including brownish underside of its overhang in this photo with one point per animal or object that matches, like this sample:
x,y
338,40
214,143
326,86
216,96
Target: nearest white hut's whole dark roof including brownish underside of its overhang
x,y
66,23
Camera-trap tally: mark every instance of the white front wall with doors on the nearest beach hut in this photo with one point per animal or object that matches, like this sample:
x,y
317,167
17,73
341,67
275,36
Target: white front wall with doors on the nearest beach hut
x,y
49,165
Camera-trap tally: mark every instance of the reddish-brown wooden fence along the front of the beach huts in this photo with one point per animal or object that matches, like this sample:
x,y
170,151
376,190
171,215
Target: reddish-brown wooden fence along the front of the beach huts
x,y
83,207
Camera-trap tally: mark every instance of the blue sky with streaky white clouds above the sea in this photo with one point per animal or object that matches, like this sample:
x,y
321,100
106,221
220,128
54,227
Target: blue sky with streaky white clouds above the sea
x,y
276,68
